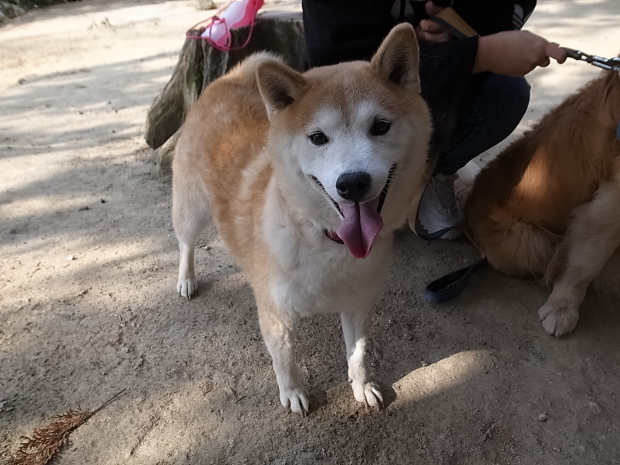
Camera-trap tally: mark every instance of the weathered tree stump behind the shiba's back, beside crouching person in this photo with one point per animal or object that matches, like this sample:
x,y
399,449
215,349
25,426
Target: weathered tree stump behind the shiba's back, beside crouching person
x,y
199,64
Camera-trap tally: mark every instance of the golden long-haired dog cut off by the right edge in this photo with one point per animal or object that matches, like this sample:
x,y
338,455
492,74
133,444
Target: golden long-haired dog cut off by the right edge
x,y
548,206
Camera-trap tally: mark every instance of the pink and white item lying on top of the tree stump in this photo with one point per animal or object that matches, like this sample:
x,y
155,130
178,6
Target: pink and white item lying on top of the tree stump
x,y
237,14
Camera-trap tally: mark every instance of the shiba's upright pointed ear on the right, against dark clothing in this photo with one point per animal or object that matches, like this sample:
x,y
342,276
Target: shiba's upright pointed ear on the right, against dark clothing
x,y
397,59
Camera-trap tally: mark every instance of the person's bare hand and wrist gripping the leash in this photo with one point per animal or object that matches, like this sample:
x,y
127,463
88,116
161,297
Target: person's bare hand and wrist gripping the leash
x,y
515,53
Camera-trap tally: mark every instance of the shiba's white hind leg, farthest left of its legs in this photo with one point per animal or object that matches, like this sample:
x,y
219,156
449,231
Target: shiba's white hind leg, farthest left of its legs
x,y
190,216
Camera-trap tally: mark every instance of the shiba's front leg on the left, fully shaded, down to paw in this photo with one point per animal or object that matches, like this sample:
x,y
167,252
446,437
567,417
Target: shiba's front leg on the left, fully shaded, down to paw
x,y
279,331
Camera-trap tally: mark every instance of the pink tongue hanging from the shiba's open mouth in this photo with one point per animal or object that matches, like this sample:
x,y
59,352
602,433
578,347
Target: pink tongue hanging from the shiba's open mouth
x,y
360,226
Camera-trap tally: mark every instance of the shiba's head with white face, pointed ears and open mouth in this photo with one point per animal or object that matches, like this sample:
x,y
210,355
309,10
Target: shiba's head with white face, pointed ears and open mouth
x,y
349,142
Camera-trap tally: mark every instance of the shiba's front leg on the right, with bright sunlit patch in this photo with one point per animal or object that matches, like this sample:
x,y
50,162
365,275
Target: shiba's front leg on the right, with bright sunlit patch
x,y
355,326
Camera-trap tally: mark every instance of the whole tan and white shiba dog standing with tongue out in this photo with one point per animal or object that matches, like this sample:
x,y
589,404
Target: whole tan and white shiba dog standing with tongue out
x,y
306,177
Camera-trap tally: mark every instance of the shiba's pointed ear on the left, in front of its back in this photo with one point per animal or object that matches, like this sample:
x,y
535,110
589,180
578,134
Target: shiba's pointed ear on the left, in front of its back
x,y
279,85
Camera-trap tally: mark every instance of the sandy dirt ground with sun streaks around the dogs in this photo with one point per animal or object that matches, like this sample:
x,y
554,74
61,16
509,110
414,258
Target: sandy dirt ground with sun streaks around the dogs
x,y
88,263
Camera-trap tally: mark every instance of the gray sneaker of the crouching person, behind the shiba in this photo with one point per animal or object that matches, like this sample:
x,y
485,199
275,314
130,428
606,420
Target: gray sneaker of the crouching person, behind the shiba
x,y
438,208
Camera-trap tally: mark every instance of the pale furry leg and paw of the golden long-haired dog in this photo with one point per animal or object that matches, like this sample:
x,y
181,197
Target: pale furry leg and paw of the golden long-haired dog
x,y
593,237
